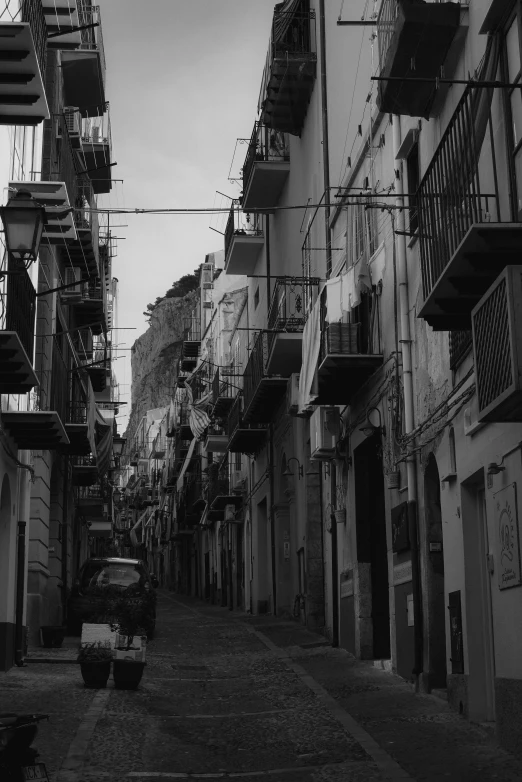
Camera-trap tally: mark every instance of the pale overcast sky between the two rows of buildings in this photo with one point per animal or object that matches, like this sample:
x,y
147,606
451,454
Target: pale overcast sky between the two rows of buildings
x,y
183,79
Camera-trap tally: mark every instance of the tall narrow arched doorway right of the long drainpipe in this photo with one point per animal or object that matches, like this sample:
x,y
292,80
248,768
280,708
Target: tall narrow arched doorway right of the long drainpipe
x,y
436,647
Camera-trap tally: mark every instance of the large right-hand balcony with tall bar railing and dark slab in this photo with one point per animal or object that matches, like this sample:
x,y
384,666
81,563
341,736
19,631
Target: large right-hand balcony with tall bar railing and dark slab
x,y
467,227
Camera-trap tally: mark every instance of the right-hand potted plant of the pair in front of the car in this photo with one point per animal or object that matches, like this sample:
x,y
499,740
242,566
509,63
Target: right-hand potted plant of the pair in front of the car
x,y
128,621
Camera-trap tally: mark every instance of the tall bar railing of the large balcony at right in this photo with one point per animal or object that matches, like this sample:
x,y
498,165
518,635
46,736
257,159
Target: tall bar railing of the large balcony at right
x,y
461,184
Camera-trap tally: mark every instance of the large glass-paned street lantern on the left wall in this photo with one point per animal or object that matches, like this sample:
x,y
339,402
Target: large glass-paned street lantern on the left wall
x,y
24,220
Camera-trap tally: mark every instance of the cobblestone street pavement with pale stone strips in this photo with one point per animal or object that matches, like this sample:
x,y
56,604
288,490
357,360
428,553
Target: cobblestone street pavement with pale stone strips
x,y
225,695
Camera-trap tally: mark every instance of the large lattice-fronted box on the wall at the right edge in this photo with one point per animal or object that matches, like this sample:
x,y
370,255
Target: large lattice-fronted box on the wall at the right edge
x,y
497,347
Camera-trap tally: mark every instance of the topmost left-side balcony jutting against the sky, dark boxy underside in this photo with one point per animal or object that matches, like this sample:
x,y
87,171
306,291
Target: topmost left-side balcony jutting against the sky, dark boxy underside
x,y
83,69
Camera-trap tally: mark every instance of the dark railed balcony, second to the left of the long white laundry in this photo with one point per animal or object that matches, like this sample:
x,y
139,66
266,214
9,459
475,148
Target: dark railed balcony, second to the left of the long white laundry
x,y
262,391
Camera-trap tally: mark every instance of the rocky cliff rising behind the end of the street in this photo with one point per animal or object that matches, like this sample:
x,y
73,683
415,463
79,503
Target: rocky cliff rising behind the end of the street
x,y
154,357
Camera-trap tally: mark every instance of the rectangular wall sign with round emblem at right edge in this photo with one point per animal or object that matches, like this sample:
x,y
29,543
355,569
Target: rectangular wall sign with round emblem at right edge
x,y
506,523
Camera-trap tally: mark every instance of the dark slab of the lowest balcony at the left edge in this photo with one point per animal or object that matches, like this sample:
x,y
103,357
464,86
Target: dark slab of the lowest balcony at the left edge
x,y
36,431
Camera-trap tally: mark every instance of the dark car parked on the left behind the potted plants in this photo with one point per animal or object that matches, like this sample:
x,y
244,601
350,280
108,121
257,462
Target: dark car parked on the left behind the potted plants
x,y
131,576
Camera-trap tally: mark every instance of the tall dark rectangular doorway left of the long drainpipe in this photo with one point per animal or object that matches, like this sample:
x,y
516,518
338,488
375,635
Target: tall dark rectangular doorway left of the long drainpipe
x,y
371,542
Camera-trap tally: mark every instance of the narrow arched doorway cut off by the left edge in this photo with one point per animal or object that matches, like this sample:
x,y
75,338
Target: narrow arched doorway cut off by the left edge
x,y
7,577
